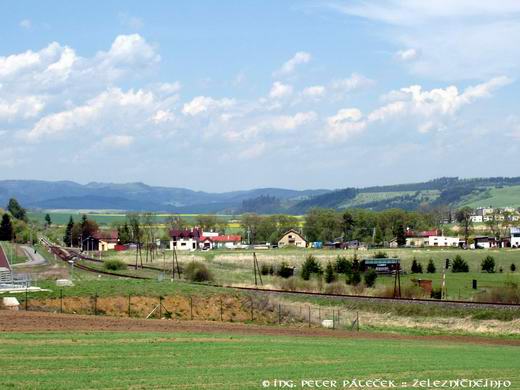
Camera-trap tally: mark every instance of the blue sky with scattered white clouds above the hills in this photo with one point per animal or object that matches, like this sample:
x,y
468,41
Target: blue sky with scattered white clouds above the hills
x,y
226,95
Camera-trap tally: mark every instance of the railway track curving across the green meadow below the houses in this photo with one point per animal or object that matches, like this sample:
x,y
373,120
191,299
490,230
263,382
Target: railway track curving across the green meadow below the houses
x,y
67,255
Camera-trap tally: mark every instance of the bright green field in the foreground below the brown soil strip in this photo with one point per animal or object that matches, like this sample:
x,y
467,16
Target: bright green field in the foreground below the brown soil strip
x,y
220,361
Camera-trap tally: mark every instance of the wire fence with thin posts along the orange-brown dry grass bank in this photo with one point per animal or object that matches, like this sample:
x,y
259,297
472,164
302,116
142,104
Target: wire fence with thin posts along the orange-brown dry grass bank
x,y
252,308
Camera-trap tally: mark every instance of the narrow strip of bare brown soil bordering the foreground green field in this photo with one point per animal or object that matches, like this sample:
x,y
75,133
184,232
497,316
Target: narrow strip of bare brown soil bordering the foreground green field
x,y
37,321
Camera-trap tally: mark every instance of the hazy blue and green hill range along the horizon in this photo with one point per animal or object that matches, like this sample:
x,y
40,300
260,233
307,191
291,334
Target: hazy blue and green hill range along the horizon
x,y
448,191
